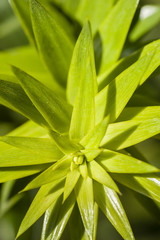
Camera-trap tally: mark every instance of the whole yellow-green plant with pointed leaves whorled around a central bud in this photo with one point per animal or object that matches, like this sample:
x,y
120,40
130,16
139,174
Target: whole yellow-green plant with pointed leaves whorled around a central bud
x,y
77,143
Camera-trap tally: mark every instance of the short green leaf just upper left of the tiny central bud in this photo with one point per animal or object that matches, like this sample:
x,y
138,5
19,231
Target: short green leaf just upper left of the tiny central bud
x,y
64,143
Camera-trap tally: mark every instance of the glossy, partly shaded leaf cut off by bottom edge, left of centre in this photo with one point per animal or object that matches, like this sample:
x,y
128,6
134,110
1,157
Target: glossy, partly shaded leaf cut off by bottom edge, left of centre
x,y
56,218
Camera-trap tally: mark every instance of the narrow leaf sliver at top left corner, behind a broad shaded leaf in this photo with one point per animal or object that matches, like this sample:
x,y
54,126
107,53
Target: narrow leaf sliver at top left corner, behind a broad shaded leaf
x,y
22,10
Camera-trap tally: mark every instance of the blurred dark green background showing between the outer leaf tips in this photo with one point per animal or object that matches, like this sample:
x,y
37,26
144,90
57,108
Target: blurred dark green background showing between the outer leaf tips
x,y
146,226
